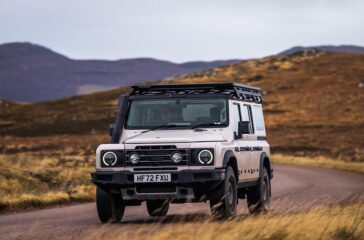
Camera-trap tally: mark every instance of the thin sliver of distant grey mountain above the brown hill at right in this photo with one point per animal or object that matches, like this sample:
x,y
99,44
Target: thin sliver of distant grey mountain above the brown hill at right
x,y
326,48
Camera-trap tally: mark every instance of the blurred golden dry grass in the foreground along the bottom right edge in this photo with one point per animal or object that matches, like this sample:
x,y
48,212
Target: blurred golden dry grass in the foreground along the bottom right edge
x,y
320,223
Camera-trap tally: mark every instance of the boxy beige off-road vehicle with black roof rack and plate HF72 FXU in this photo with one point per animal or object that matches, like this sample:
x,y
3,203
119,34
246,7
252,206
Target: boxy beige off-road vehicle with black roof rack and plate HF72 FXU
x,y
185,143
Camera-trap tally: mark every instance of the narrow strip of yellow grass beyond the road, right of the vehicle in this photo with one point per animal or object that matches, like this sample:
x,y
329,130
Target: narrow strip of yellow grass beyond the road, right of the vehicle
x,y
319,162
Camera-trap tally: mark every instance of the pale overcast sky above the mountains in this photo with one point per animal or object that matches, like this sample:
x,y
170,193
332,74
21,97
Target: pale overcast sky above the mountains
x,y
180,30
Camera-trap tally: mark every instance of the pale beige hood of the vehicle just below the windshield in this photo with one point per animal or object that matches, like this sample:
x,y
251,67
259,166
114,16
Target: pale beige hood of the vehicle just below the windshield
x,y
176,136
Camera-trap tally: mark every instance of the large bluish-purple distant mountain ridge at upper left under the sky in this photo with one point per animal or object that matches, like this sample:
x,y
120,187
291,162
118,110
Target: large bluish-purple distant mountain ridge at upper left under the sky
x,y
32,73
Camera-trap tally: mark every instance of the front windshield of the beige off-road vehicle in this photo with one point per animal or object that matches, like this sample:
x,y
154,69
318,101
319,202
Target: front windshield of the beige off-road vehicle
x,y
146,114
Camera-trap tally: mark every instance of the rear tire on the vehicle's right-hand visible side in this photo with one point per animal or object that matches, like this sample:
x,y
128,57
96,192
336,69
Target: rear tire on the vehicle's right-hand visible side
x,y
258,197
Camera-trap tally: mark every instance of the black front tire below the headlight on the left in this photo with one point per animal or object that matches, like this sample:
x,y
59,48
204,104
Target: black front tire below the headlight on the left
x,y
110,207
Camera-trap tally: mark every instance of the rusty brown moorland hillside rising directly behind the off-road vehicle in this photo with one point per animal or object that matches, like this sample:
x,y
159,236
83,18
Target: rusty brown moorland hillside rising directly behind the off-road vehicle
x,y
313,104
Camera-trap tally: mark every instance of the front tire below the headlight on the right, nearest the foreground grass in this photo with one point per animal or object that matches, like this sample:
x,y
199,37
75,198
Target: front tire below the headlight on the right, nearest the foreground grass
x,y
223,201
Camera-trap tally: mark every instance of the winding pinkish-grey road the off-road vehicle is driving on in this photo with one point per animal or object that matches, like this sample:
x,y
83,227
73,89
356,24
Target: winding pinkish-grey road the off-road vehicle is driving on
x,y
294,188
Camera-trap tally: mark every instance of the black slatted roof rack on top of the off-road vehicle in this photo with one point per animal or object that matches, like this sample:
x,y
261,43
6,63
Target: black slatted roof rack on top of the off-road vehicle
x,y
232,90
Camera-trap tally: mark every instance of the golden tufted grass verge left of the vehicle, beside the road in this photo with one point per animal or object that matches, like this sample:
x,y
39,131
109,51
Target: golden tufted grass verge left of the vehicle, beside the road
x,y
28,181
